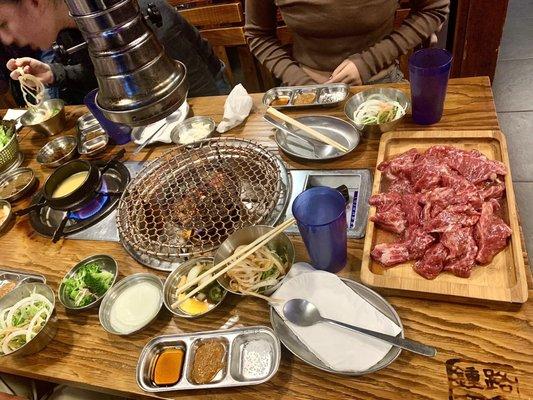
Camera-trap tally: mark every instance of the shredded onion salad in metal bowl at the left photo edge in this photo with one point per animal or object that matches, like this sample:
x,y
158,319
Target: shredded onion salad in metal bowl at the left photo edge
x,y
21,322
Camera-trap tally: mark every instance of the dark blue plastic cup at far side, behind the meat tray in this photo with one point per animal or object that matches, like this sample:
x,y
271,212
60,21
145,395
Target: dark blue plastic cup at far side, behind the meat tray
x,y
429,71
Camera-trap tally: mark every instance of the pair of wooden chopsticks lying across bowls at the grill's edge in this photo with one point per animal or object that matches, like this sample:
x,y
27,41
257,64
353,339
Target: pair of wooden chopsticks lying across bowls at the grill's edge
x,y
231,261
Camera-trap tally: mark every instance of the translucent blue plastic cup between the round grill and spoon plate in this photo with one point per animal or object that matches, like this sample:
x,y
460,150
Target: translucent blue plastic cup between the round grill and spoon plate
x,y
320,213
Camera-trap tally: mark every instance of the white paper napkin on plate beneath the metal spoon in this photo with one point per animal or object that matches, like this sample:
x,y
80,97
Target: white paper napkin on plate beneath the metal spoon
x,y
339,348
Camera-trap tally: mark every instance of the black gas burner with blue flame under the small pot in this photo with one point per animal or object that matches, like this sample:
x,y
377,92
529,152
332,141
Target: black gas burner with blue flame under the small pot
x,y
47,220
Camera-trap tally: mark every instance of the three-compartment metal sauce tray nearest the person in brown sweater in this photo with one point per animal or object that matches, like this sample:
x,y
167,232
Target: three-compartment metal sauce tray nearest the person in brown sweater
x,y
321,92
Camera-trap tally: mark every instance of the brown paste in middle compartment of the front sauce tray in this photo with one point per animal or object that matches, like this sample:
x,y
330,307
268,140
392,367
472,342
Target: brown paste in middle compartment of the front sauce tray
x,y
209,359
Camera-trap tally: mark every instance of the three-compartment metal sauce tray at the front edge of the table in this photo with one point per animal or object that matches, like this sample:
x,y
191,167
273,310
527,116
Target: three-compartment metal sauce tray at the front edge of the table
x,y
231,375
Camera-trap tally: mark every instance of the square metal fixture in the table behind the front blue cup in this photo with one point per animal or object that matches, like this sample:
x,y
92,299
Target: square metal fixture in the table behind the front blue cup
x,y
359,183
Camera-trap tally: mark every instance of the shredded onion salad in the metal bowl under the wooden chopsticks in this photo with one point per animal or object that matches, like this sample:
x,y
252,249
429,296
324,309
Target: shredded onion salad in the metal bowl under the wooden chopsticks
x,y
259,270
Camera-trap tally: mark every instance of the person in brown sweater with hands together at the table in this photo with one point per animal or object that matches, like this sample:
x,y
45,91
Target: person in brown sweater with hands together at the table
x,y
350,41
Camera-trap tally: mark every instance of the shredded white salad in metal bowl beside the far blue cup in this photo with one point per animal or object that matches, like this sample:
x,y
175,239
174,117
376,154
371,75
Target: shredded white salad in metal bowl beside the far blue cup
x,y
378,109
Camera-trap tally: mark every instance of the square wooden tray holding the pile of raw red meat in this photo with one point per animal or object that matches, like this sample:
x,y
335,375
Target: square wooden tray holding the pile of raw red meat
x,y
504,279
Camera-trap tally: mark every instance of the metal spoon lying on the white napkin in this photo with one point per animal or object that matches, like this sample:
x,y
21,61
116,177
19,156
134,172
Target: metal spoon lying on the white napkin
x,y
303,313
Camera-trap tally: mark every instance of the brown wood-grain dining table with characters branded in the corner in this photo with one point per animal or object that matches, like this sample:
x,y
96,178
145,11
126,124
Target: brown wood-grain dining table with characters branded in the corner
x,y
485,345
